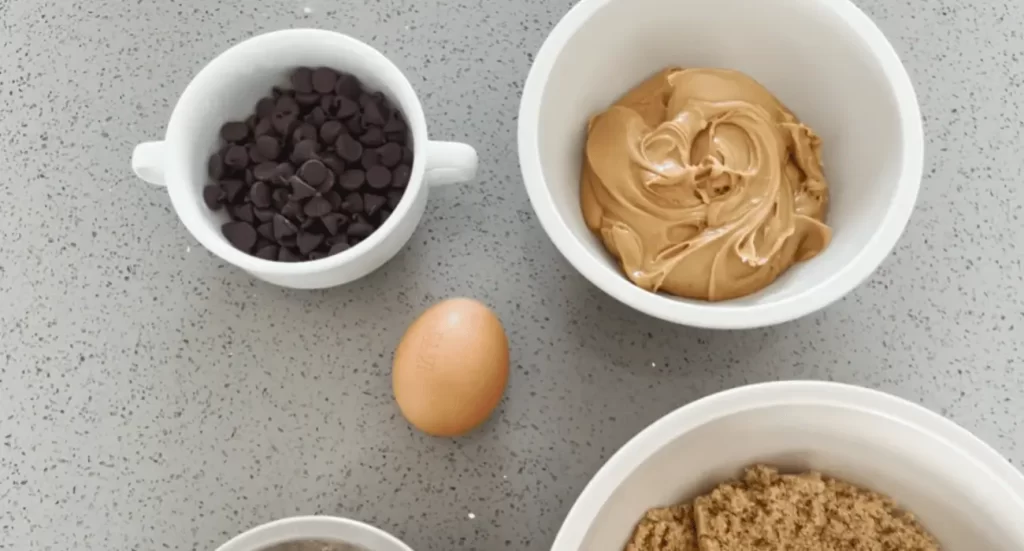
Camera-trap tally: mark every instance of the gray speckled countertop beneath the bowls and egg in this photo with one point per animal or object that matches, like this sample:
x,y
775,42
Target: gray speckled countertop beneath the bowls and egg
x,y
154,398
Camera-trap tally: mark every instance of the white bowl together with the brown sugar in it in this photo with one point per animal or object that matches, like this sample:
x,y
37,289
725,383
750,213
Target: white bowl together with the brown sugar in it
x,y
800,467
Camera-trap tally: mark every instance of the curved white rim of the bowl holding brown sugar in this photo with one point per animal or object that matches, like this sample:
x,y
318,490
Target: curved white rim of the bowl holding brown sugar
x,y
692,416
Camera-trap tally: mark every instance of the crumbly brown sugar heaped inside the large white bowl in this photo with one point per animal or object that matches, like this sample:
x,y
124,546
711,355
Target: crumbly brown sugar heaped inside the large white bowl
x,y
769,512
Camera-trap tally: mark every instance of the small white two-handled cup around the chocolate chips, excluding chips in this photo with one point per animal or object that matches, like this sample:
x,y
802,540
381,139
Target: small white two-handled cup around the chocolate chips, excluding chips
x,y
228,90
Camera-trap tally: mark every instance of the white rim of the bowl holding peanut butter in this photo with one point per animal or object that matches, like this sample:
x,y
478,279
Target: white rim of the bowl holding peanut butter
x,y
727,316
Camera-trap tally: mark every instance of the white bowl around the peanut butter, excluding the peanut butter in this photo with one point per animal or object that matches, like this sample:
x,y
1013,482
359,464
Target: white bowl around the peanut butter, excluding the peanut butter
x,y
824,59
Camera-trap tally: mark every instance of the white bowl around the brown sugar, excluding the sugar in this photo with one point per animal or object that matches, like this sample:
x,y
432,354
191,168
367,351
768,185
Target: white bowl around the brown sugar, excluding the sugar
x,y
963,492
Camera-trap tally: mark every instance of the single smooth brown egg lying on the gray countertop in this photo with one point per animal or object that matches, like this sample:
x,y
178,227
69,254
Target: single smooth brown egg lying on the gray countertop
x,y
451,368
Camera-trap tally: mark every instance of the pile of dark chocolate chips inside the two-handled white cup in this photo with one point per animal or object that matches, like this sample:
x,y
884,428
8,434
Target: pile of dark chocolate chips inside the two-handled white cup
x,y
314,172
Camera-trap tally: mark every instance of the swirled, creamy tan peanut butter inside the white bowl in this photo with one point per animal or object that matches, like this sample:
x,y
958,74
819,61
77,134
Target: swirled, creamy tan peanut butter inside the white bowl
x,y
704,186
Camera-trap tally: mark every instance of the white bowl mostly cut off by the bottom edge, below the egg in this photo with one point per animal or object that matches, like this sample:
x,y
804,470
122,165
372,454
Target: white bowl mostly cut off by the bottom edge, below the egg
x,y
329,529
